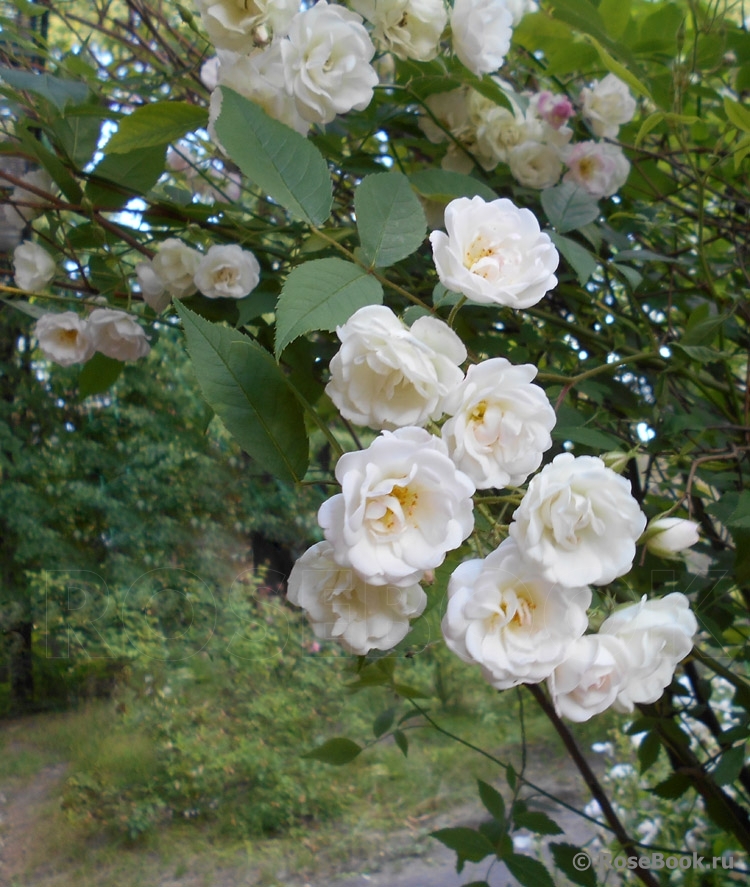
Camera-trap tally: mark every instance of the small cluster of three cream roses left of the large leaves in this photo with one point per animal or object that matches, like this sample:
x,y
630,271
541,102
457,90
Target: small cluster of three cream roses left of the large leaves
x,y
226,271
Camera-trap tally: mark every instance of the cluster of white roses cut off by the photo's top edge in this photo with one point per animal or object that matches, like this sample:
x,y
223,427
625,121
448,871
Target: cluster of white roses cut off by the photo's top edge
x,y
305,67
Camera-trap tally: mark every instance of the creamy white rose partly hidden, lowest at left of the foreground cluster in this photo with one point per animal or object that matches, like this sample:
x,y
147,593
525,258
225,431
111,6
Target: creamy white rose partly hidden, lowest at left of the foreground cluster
x,y
342,607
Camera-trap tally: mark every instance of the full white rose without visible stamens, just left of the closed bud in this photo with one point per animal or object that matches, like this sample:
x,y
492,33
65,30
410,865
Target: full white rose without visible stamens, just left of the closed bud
x,y
578,522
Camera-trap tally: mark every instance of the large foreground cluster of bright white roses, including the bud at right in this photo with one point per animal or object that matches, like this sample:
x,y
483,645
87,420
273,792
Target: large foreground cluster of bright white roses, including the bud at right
x,y
407,499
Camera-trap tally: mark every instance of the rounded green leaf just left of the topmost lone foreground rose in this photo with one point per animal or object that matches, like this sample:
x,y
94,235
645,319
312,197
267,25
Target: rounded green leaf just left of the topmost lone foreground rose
x,y
390,219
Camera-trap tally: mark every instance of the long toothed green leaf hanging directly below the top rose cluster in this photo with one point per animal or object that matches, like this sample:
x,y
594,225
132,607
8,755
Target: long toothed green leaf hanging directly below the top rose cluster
x,y
281,162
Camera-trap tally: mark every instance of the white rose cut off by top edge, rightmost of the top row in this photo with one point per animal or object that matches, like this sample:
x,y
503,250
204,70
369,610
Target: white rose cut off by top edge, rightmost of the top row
x,y
481,33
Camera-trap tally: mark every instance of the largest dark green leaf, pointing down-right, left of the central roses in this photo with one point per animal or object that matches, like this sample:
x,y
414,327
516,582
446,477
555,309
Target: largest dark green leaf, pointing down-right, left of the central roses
x,y
248,391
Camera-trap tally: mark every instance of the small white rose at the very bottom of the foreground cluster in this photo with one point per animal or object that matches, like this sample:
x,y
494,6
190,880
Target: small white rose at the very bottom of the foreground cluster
x,y
587,682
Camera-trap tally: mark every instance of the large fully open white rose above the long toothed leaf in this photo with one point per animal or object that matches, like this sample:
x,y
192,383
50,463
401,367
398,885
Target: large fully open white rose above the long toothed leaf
x,y
326,57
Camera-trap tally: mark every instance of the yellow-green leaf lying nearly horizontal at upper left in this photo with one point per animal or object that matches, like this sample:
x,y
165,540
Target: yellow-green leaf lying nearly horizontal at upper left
x,y
158,123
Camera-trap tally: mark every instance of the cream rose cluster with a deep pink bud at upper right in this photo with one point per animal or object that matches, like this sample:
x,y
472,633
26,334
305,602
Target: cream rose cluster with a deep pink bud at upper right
x,y
534,139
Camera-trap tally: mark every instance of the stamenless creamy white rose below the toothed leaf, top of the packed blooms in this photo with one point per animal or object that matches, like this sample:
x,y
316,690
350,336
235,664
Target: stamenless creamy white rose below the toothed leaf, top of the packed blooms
x,y
386,375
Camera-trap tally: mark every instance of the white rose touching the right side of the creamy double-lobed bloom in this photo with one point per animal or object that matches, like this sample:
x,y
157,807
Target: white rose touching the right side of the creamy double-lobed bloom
x,y
501,424
